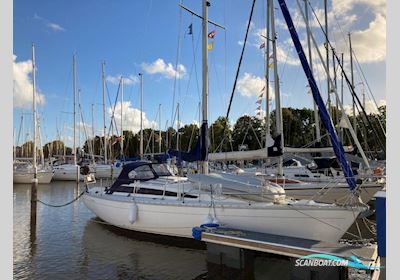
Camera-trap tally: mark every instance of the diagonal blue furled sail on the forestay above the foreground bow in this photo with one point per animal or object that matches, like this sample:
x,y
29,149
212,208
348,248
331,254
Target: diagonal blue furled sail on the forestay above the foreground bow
x,y
326,120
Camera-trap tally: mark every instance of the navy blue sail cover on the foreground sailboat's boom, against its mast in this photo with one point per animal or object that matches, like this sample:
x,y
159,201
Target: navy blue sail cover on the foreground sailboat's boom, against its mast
x,y
199,151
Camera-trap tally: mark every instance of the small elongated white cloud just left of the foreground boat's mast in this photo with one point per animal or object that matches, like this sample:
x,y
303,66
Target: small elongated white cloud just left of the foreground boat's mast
x,y
167,70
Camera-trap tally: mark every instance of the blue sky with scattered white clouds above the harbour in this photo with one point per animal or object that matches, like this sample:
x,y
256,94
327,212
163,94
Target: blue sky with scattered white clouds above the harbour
x,y
151,37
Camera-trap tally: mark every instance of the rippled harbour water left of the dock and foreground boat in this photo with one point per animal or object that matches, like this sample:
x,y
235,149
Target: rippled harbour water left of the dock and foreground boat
x,y
70,243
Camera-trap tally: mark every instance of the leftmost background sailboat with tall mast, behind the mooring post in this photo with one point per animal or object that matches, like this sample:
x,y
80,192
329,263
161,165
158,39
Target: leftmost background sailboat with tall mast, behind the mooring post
x,y
24,173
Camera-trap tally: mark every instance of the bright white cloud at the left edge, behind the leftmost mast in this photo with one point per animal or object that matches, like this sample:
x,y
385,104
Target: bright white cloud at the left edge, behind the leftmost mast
x,y
23,96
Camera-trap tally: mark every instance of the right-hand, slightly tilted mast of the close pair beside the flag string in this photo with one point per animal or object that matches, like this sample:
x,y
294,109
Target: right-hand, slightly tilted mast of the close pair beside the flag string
x,y
279,121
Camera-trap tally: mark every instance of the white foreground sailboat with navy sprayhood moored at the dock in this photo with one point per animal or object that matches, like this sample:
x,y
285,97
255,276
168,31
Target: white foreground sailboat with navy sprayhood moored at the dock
x,y
141,200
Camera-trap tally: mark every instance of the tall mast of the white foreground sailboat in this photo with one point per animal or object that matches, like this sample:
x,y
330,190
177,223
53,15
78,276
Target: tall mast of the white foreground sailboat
x,y
204,142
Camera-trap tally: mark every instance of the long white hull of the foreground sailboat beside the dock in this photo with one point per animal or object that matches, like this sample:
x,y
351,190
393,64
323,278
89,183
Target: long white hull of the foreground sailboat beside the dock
x,y
174,218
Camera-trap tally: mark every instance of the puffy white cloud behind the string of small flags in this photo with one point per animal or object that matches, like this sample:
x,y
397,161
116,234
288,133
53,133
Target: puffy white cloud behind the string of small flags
x,y
250,85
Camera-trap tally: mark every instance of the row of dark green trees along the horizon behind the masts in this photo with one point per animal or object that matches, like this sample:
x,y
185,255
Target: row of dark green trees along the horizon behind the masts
x,y
248,132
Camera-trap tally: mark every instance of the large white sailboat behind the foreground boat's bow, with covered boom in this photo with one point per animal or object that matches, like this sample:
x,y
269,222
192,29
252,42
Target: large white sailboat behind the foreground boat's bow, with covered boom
x,y
298,180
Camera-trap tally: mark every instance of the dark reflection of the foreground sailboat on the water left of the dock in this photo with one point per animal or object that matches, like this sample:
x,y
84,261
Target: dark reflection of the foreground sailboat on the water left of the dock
x,y
127,257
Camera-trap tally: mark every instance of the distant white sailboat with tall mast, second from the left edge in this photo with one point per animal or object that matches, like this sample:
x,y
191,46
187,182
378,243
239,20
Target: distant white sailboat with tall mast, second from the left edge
x,y
70,171
